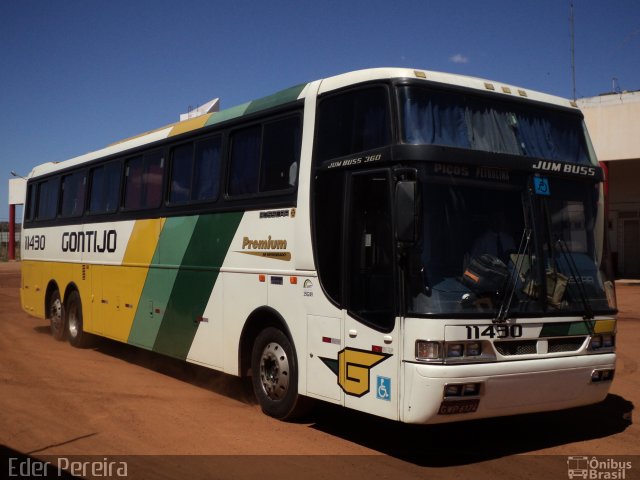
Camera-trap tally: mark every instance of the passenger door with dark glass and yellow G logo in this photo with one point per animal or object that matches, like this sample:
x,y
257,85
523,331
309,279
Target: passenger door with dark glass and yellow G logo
x,y
369,363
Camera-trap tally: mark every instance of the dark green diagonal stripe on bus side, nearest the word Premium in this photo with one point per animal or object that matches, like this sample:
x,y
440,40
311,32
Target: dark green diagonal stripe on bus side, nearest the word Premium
x,y
194,283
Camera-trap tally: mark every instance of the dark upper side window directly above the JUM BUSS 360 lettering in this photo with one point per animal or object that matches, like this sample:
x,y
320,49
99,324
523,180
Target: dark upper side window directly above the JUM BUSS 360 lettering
x,y
353,122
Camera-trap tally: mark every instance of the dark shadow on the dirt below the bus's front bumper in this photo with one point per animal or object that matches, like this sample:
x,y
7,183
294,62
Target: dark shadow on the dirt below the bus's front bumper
x,y
475,441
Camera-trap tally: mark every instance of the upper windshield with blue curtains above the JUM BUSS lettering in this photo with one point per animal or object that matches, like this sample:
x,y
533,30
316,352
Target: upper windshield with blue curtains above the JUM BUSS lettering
x,y
435,117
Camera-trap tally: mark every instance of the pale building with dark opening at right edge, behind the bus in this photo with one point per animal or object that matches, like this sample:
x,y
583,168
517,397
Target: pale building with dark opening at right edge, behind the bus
x,y
613,121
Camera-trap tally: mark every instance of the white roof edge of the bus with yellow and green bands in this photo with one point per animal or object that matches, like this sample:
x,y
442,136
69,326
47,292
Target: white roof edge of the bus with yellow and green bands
x,y
298,92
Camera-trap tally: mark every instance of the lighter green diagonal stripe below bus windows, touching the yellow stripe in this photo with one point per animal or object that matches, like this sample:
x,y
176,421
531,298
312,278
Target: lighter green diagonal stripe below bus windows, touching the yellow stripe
x,y
172,245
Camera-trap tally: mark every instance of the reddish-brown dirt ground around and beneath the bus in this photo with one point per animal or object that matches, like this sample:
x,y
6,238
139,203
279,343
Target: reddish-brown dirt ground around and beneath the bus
x,y
167,419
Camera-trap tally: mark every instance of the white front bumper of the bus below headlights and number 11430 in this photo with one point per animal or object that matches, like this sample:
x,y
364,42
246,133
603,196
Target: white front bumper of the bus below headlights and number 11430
x,y
505,388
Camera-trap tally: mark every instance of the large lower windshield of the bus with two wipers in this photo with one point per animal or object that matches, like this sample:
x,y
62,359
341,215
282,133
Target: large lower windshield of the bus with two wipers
x,y
493,248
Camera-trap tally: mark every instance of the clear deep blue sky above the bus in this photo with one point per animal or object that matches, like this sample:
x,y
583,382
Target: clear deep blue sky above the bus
x,y
76,75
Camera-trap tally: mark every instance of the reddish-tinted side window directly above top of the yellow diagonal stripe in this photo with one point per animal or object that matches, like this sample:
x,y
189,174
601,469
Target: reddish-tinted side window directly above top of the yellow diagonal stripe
x,y
144,181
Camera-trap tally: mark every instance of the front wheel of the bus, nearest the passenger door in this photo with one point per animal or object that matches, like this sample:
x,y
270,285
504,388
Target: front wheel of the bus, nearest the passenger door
x,y
275,374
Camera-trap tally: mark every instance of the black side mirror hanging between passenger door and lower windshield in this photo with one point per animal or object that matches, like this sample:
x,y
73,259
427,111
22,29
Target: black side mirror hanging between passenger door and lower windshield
x,y
407,213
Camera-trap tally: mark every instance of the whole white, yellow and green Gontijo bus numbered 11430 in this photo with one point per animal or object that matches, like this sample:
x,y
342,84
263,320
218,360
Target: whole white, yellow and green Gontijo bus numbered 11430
x,y
420,246
